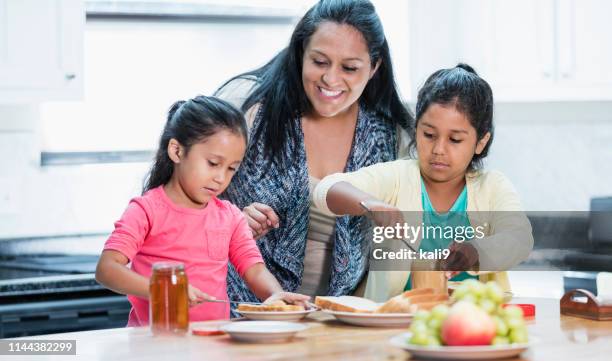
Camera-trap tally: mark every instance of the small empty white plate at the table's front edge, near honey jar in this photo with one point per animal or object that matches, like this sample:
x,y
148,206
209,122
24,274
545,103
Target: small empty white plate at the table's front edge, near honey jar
x,y
263,331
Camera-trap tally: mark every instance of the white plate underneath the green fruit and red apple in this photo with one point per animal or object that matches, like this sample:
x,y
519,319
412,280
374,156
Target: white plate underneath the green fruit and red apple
x,y
458,352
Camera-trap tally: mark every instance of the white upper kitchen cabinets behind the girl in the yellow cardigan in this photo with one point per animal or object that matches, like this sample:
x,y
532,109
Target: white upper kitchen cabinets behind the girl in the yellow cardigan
x,y
544,50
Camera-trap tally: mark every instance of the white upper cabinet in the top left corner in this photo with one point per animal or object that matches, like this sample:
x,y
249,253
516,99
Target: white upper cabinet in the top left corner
x,y
41,50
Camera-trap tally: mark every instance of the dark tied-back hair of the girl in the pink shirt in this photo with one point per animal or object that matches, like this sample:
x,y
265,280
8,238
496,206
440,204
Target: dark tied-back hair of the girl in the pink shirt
x,y
191,122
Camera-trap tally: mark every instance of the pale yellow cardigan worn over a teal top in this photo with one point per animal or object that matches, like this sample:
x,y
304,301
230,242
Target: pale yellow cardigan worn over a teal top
x,y
508,238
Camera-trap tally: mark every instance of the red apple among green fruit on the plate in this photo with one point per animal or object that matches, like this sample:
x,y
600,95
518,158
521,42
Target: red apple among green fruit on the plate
x,y
467,325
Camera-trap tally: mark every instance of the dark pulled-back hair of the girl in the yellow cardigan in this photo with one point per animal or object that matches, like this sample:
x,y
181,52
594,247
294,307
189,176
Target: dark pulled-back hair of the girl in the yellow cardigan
x,y
471,95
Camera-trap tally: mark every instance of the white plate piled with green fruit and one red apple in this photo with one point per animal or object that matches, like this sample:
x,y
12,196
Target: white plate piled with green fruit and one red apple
x,y
476,325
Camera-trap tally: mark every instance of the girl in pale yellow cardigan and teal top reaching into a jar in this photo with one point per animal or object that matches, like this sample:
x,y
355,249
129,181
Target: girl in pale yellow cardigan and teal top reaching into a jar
x,y
452,135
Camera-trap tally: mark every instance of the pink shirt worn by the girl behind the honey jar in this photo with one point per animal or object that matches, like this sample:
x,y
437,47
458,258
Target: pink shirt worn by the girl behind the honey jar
x,y
154,229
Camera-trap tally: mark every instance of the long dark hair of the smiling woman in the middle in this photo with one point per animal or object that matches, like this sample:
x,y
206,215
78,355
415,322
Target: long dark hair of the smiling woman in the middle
x,y
279,83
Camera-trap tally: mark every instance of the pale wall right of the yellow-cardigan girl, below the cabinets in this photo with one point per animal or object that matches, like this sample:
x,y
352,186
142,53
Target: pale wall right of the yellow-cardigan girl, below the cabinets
x,y
558,155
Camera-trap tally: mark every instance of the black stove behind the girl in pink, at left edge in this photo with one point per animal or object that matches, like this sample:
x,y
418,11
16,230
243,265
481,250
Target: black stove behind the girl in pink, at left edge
x,y
42,294
